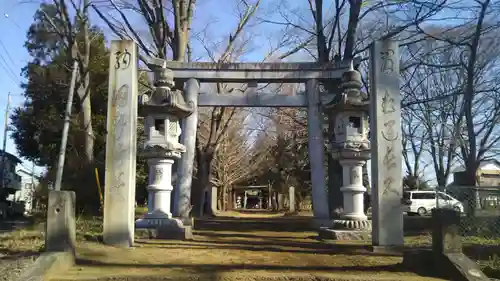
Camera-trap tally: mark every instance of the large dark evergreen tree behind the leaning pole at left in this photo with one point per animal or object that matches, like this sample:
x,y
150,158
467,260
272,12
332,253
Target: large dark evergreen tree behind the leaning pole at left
x,y
37,124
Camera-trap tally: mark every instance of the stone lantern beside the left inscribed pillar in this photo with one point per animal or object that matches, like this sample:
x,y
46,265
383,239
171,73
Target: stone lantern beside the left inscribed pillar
x,y
162,111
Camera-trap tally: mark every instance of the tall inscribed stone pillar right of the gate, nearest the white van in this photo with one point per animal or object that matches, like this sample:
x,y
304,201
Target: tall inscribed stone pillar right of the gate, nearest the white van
x,y
385,130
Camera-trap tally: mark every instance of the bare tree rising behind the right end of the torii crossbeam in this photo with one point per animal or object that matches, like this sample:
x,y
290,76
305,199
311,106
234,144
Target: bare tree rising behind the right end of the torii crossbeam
x,y
343,30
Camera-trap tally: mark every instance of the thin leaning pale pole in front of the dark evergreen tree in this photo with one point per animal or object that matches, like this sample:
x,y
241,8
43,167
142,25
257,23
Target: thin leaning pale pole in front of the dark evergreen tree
x,y
67,119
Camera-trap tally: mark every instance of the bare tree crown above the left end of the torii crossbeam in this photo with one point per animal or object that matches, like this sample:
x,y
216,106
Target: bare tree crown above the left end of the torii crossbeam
x,y
158,16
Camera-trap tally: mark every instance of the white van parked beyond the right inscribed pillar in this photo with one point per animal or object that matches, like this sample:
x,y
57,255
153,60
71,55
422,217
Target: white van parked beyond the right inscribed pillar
x,y
422,202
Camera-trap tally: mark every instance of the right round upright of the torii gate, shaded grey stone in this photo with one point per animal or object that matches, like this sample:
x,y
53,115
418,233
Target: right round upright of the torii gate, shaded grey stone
x,y
317,154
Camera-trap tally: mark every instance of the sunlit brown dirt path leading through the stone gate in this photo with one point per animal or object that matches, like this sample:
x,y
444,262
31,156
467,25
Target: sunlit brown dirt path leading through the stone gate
x,y
229,248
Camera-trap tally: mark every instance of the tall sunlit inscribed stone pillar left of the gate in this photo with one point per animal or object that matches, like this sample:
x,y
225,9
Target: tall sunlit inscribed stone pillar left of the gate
x,y
121,145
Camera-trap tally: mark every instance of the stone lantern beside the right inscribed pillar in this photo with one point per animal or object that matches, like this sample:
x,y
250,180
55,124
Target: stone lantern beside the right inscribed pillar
x,y
352,148
